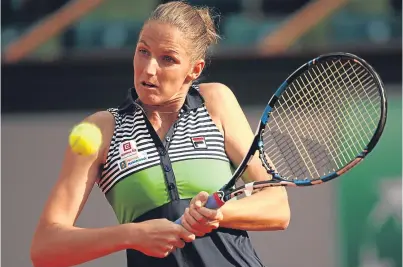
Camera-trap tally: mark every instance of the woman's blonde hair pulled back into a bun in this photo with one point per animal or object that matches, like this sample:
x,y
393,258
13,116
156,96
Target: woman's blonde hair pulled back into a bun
x,y
196,23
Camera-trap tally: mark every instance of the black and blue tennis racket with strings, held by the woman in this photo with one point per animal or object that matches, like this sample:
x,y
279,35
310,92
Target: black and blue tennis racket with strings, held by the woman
x,y
323,120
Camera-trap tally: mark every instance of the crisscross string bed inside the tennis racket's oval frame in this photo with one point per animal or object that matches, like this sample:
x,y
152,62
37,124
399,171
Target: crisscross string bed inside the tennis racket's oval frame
x,y
323,120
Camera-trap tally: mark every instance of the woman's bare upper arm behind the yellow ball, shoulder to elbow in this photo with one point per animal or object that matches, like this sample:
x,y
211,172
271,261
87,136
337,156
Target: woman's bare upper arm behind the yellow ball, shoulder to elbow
x,y
77,177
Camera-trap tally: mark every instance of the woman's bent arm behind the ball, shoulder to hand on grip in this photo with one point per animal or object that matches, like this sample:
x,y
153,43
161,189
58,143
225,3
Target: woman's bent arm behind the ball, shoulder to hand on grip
x,y
58,242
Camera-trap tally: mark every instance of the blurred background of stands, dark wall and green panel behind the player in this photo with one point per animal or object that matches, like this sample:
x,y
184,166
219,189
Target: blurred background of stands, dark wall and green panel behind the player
x,y
63,60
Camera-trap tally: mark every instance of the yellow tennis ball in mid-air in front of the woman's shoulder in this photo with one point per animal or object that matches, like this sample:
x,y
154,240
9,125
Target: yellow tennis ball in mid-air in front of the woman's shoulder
x,y
85,139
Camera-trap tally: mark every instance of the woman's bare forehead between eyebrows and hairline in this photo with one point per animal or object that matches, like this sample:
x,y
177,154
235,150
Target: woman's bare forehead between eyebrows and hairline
x,y
163,35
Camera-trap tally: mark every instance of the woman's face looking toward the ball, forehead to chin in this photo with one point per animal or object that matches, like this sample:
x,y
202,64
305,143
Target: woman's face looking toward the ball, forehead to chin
x,y
162,63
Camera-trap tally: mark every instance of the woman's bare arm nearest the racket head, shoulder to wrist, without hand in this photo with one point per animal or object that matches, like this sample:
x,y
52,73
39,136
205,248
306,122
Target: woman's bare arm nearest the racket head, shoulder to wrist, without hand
x,y
266,210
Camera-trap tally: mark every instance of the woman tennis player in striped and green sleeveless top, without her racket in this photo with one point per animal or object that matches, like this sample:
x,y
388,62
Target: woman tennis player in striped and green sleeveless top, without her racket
x,y
170,144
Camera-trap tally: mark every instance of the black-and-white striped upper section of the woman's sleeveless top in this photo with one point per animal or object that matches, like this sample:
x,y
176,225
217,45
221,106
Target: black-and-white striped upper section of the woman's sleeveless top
x,y
193,136
